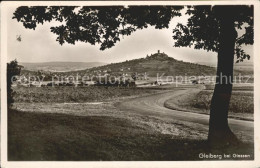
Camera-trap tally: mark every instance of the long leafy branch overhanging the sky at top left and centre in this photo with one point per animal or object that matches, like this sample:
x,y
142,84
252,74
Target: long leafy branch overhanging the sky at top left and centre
x,y
96,24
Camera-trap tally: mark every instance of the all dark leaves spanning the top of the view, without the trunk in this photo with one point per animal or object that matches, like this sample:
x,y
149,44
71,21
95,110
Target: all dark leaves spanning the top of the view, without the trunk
x,y
106,24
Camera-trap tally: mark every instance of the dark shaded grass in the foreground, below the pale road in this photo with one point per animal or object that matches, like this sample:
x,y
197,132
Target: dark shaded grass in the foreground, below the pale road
x,y
45,136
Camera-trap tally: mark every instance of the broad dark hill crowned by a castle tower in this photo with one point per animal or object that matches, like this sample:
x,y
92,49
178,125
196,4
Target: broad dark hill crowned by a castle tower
x,y
156,63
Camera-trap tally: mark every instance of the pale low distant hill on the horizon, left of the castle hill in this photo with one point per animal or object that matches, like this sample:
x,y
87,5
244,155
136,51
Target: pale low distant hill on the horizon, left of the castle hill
x,y
60,66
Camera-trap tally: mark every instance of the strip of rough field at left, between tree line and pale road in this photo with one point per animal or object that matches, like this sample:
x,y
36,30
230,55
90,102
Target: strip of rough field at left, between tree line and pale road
x,y
75,94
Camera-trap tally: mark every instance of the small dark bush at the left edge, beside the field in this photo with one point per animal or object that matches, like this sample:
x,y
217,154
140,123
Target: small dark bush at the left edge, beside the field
x,y
13,69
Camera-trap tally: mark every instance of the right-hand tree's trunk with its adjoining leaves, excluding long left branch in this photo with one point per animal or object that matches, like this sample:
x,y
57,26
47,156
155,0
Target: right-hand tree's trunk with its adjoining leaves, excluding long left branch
x,y
214,29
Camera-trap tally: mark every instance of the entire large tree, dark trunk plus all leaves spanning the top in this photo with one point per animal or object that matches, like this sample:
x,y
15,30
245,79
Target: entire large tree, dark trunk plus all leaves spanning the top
x,y
212,28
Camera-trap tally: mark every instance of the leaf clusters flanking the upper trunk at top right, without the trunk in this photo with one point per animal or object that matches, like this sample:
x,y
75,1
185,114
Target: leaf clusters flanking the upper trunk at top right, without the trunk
x,y
203,29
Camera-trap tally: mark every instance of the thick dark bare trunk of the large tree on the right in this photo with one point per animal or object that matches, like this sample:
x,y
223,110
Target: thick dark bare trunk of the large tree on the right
x,y
219,131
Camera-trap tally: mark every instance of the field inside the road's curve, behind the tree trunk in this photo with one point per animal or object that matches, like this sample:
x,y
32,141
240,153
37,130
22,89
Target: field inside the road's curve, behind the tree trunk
x,y
241,104
